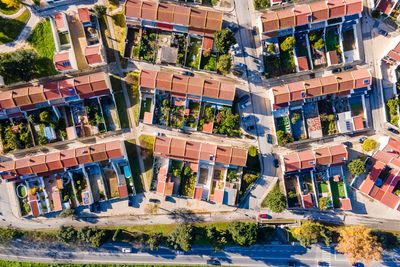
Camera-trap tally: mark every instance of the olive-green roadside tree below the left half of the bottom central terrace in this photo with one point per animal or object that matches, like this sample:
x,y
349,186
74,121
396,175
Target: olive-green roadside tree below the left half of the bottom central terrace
x,y
181,237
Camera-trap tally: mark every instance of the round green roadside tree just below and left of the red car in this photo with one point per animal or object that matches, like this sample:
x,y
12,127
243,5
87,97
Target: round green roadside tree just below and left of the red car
x,y
244,234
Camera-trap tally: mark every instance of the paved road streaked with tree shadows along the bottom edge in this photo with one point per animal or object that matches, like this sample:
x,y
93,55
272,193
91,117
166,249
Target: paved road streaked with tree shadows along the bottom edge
x,y
271,255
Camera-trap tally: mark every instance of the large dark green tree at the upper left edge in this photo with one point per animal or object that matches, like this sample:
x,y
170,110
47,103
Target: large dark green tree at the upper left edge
x,y
18,65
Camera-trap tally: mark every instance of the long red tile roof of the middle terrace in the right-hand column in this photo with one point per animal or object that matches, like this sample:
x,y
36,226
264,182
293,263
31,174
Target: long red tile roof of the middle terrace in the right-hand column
x,y
323,85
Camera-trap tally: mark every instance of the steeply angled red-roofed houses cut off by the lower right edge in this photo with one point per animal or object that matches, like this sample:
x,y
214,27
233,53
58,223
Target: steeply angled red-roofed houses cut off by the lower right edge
x,y
383,180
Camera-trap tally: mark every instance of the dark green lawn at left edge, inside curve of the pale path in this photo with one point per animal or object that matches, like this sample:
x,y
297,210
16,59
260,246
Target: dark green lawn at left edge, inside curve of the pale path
x,y
11,28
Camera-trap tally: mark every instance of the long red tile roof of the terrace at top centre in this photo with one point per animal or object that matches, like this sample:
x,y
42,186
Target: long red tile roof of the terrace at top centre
x,y
200,20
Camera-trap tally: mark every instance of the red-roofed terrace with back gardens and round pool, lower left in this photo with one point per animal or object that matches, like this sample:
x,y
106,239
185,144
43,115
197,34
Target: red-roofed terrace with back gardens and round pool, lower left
x,y
62,179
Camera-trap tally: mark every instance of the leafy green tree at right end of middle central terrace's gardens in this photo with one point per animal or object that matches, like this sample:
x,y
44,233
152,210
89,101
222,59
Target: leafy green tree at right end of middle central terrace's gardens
x,y
227,123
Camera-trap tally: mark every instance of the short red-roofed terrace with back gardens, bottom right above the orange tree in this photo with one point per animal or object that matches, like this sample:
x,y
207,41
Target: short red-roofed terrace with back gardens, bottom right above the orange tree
x,y
314,174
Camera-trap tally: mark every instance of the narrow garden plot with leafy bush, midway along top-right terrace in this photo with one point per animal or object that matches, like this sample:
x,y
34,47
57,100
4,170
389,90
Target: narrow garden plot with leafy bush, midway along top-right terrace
x,y
317,45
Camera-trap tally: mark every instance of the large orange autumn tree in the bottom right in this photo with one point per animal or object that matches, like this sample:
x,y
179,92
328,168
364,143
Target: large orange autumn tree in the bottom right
x,y
357,243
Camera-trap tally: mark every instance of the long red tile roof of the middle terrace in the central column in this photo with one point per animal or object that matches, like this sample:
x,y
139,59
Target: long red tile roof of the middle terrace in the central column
x,y
166,81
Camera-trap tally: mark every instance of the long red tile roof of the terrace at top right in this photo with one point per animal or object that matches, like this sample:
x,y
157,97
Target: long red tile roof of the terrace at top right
x,y
303,14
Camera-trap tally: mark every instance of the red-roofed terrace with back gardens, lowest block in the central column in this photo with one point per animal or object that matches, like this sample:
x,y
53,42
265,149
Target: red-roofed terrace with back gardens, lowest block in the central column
x,y
208,164
